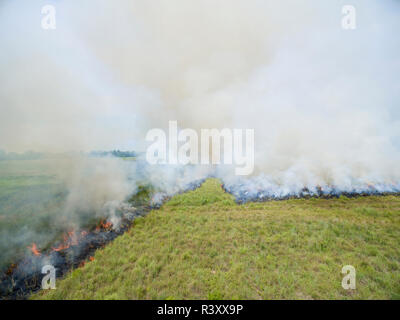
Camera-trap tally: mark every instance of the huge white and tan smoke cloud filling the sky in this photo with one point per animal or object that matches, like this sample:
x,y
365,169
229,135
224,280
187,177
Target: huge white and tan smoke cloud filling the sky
x,y
323,101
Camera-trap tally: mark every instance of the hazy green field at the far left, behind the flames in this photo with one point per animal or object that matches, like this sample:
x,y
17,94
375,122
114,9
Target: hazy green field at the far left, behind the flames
x,y
30,199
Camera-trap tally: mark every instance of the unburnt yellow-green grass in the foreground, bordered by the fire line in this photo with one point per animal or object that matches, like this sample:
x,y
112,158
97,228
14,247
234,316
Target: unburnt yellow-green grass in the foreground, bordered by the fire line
x,y
202,245
